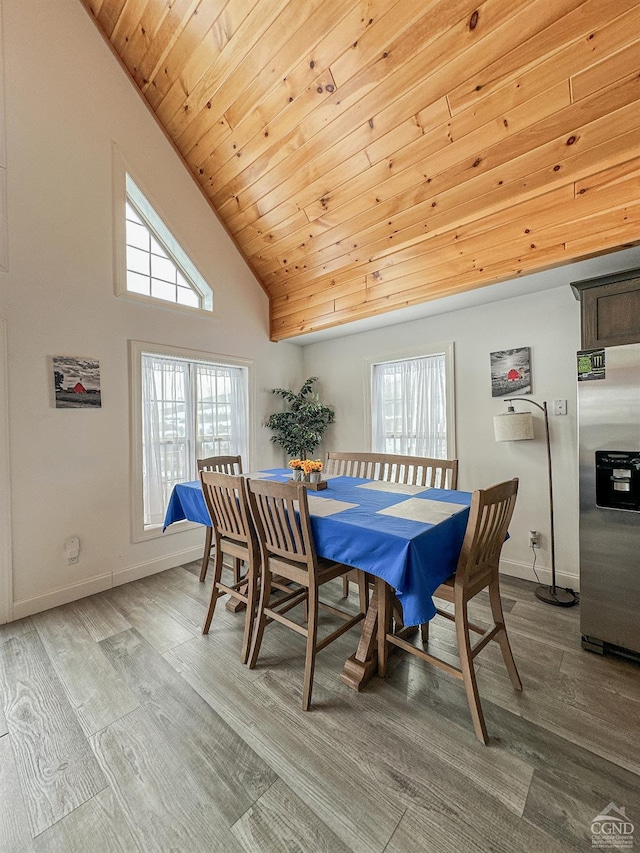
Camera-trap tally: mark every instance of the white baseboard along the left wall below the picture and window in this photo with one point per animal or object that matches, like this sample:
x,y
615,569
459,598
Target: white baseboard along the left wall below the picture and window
x,y
29,606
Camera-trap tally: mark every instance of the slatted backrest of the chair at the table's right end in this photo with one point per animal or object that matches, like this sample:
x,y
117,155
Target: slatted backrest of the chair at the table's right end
x,y
489,518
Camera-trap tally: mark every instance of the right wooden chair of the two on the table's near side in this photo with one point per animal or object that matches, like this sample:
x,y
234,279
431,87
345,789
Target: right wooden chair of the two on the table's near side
x,y
280,513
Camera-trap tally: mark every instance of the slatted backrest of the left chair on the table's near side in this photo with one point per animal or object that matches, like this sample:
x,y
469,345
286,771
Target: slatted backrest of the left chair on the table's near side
x,y
227,501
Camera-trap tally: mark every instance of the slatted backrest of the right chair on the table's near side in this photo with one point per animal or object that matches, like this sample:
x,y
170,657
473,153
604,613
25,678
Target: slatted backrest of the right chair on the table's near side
x,y
281,516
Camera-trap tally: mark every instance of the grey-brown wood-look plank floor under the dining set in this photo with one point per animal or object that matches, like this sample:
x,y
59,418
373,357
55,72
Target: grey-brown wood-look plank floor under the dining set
x,y
122,728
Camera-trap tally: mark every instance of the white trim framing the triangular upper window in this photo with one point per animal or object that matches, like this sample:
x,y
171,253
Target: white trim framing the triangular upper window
x,y
122,172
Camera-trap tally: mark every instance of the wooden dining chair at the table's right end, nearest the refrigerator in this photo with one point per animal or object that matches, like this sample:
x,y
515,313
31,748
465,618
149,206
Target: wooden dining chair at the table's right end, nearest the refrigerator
x,y
477,569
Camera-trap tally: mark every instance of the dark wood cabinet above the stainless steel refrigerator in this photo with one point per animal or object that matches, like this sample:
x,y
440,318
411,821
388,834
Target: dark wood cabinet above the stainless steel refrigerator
x,y
609,309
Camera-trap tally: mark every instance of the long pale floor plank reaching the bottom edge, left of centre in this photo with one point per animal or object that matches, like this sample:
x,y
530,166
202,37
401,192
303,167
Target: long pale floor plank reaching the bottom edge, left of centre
x,y
164,805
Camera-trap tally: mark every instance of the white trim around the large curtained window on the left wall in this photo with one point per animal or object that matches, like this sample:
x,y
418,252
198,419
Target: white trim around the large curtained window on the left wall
x,y
136,350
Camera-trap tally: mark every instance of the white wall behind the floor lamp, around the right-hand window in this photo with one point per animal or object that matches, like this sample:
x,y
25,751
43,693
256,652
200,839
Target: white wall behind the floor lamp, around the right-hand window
x,y
549,323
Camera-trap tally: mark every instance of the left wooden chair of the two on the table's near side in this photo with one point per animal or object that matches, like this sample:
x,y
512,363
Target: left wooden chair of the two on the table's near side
x,y
234,535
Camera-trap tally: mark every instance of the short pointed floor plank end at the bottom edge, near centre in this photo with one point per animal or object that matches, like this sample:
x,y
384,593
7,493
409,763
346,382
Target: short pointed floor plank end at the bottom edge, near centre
x,y
280,820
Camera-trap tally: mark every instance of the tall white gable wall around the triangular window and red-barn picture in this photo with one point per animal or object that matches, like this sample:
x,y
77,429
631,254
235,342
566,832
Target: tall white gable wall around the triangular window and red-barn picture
x,y
66,100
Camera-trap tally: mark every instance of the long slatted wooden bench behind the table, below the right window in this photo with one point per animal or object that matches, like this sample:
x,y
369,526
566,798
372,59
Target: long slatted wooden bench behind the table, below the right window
x,y
393,468
